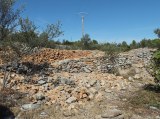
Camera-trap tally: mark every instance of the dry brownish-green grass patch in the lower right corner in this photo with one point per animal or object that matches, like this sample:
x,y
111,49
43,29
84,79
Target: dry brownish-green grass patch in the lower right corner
x,y
140,103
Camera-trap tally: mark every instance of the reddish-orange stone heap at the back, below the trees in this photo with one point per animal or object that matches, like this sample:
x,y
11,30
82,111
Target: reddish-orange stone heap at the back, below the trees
x,y
50,55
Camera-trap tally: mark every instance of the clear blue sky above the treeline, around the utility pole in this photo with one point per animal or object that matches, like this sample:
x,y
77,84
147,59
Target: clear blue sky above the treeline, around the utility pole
x,y
107,20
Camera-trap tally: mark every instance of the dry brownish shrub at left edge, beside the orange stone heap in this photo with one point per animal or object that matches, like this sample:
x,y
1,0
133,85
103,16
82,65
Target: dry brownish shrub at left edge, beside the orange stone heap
x,y
11,53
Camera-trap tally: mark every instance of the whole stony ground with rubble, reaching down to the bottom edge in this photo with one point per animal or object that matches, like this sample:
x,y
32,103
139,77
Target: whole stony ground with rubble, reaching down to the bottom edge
x,y
73,87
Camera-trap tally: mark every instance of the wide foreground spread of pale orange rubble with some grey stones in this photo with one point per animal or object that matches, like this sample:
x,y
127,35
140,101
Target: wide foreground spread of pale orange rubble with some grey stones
x,y
66,89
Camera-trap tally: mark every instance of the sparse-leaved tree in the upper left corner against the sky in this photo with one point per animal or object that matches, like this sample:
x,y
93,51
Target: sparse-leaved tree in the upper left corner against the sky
x,y
8,17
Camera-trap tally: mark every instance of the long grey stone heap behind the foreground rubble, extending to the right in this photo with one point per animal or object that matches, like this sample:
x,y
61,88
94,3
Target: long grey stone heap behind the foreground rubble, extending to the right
x,y
102,64
